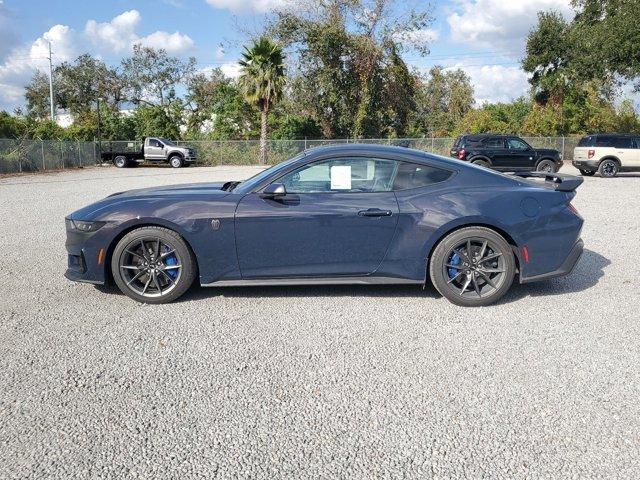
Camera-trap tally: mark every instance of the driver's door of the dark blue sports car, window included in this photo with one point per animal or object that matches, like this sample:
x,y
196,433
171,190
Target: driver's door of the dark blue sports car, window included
x,y
337,218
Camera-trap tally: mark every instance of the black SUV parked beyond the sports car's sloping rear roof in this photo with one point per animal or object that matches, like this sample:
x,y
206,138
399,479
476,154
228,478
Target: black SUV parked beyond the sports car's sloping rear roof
x,y
506,153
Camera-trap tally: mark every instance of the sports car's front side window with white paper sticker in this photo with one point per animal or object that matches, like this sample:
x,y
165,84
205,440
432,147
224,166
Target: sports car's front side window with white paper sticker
x,y
347,174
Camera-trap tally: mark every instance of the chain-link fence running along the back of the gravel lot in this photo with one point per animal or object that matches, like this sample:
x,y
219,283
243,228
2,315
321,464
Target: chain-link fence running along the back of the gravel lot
x,y
17,156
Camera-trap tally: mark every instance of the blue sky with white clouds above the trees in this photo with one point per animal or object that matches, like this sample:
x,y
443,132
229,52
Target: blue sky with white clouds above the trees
x,y
483,37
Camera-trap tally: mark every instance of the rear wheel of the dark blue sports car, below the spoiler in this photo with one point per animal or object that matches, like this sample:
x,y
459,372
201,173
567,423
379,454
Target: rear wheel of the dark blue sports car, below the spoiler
x,y
472,283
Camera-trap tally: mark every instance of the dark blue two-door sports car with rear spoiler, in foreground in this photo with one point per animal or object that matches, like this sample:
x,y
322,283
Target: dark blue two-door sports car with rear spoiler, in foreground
x,y
339,214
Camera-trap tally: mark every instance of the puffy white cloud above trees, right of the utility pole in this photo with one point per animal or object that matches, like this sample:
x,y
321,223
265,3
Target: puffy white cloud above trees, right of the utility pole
x,y
117,35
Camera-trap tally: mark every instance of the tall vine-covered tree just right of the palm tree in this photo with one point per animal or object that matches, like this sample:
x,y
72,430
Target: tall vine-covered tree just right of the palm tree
x,y
347,62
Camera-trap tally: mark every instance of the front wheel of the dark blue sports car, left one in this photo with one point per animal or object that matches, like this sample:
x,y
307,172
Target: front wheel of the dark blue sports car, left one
x,y
139,274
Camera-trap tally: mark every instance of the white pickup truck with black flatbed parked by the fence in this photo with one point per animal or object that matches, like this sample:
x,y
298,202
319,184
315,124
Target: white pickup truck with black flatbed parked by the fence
x,y
155,150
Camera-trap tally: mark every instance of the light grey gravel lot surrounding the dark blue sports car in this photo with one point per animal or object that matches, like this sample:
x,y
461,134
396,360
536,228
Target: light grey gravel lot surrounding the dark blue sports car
x,y
314,382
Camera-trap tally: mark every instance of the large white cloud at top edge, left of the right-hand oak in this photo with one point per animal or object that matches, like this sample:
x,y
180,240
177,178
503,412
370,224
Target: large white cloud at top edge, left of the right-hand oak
x,y
499,24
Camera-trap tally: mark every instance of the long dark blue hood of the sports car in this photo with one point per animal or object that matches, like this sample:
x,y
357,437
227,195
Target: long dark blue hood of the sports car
x,y
211,190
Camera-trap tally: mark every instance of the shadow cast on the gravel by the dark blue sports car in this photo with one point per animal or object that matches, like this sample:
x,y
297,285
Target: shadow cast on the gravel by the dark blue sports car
x,y
587,273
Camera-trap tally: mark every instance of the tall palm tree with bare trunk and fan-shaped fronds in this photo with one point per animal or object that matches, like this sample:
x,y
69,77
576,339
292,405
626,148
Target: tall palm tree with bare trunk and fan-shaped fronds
x,y
262,80
